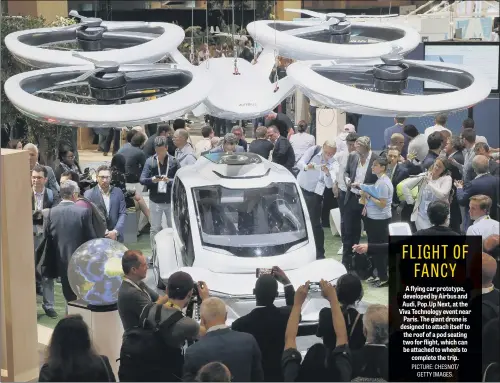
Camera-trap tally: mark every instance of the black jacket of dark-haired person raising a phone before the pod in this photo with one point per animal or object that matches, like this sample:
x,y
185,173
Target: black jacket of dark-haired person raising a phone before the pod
x,y
268,326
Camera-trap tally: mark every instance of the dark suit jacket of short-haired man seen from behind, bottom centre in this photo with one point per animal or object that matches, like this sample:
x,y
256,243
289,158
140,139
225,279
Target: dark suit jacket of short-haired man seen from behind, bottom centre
x,y
239,351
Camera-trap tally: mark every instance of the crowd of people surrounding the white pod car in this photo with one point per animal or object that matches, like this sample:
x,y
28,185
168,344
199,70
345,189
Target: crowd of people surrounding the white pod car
x,y
439,182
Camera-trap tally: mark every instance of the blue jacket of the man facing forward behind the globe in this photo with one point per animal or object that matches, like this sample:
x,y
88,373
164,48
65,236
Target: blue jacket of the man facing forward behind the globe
x,y
115,220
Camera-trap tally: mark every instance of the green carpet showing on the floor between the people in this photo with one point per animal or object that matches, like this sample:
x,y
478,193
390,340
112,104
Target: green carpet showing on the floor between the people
x,y
332,244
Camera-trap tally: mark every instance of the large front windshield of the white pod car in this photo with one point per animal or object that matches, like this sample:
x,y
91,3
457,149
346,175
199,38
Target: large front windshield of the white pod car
x,y
251,222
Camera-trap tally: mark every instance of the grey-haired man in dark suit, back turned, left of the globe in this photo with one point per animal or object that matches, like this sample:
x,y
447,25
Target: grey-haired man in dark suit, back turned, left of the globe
x,y
69,226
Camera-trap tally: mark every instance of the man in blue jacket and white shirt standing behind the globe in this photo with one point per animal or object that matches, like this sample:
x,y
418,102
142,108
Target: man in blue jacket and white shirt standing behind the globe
x,y
111,201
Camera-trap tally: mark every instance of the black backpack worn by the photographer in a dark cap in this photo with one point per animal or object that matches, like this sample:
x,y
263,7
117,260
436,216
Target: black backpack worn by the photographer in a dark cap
x,y
143,346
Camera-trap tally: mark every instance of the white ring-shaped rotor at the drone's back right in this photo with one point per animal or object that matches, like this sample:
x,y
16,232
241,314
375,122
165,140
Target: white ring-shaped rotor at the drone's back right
x,y
331,36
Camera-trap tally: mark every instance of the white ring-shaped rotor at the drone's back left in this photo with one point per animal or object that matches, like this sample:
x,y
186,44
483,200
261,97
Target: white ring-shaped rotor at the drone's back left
x,y
120,42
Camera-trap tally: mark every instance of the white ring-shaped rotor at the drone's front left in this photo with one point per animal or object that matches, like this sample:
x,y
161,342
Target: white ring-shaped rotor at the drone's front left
x,y
77,96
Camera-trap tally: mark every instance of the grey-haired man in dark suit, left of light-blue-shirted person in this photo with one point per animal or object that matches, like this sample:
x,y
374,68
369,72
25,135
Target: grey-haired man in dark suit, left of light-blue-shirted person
x,y
357,171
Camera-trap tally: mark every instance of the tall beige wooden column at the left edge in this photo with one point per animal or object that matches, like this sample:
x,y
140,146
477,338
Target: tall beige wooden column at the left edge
x,y
19,346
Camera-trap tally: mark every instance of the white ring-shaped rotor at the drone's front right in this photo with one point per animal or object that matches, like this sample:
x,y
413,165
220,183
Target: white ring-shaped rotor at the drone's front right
x,y
377,87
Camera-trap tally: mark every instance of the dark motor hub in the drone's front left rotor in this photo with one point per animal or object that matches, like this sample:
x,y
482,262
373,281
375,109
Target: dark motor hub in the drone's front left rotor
x,y
108,87
